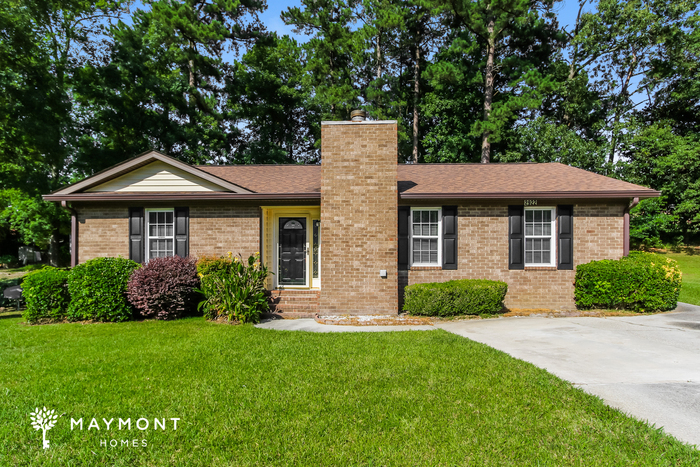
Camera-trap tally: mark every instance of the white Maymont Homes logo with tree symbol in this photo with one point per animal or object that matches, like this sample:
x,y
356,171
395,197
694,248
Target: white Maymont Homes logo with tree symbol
x,y
45,419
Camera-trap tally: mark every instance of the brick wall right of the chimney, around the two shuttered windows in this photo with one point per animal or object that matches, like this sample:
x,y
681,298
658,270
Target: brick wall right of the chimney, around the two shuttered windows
x,y
483,254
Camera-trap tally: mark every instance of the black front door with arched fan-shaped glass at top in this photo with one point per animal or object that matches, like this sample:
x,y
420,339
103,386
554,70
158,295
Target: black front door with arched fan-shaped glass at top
x,y
292,251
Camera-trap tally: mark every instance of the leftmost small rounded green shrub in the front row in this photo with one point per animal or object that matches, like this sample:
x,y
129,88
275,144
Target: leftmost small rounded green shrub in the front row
x,y
46,294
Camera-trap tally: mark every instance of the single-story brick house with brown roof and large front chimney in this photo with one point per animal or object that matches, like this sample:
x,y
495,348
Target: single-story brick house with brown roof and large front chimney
x,y
346,236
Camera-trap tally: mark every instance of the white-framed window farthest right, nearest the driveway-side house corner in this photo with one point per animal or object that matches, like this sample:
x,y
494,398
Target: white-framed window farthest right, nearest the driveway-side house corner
x,y
539,240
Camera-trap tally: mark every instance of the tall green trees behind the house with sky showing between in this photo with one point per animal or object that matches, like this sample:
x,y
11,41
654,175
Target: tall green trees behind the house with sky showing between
x,y
85,85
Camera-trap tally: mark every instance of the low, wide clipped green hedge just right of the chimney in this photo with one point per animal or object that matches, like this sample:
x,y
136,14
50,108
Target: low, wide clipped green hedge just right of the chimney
x,y
452,298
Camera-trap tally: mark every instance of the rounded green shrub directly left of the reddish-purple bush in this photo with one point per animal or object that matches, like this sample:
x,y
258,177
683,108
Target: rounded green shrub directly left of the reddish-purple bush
x,y
98,290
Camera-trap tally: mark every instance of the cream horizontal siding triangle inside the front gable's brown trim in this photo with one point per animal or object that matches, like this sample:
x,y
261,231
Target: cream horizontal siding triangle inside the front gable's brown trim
x,y
157,176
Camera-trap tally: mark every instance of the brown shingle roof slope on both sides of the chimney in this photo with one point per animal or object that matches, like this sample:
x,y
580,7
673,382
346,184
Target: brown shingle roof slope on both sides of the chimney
x,y
447,180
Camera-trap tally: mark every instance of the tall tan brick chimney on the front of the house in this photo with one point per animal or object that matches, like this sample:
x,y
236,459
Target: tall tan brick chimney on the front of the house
x,y
359,218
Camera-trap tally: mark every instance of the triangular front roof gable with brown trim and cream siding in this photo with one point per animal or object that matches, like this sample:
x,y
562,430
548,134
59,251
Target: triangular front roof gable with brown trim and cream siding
x,y
123,176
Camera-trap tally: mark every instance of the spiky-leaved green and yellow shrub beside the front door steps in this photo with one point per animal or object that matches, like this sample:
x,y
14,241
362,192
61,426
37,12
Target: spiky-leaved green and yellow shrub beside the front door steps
x,y
233,288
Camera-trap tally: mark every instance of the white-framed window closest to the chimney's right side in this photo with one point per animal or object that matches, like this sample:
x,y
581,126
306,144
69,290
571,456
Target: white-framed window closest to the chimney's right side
x,y
425,237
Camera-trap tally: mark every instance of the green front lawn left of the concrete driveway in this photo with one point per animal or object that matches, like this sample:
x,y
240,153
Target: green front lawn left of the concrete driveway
x,y
247,396
